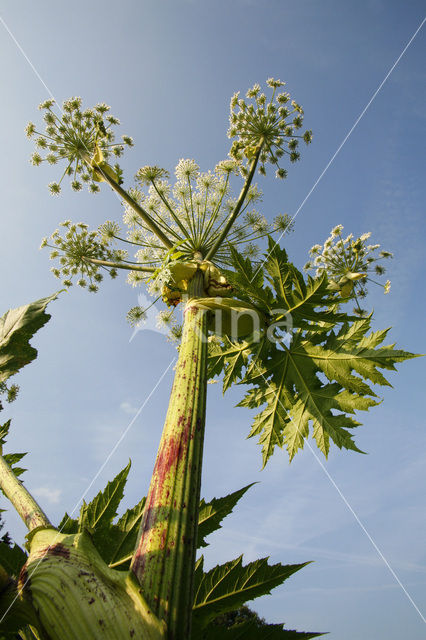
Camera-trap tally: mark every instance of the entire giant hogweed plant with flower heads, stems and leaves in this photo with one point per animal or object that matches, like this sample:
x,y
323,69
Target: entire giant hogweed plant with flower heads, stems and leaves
x,y
193,244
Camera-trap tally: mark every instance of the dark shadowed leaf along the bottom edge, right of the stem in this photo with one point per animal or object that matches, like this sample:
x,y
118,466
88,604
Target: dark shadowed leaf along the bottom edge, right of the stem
x,y
251,631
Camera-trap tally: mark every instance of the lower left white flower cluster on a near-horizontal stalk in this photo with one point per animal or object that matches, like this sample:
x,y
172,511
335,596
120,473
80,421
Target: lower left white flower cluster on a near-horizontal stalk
x,y
81,253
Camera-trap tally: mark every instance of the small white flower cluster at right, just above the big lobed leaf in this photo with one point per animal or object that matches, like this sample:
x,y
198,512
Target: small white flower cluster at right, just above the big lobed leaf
x,y
349,263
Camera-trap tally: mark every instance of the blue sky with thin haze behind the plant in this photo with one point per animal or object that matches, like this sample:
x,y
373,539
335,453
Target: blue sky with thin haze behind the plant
x,y
168,69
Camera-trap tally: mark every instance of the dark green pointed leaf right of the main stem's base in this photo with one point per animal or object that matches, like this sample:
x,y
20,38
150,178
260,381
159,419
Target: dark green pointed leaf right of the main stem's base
x,y
228,586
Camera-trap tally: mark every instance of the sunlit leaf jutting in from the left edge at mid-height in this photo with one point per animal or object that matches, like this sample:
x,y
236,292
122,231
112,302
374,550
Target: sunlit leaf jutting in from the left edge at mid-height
x,y
17,327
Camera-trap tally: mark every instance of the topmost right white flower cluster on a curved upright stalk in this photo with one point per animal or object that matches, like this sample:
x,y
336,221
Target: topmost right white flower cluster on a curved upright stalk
x,y
267,130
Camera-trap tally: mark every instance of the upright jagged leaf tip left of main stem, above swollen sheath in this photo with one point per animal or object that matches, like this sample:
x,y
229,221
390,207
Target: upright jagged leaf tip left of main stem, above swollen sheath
x,y
101,511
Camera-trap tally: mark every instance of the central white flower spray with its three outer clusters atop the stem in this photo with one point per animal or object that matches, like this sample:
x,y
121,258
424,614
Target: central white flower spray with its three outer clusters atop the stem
x,y
194,218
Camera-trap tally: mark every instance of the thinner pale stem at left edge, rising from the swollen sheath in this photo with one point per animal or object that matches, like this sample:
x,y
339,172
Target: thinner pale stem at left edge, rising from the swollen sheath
x,y
30,512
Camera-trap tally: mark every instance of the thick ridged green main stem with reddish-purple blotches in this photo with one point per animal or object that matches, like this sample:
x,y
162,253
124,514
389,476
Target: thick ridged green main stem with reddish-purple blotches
x,y
164,558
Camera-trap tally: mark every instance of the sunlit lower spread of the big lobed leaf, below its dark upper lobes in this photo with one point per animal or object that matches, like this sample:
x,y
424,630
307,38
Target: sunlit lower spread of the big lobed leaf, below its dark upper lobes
x,y
289,382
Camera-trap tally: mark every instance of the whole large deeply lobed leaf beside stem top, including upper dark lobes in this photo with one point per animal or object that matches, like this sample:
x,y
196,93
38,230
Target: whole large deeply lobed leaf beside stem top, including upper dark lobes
x,y
319,376
